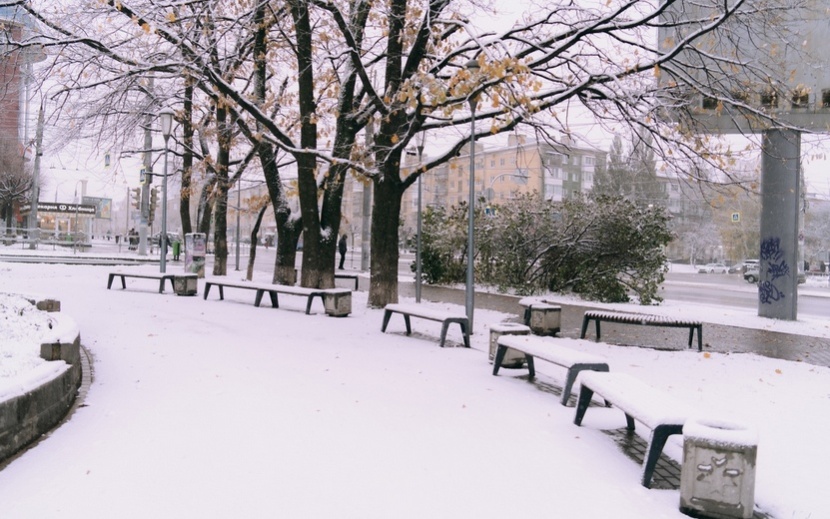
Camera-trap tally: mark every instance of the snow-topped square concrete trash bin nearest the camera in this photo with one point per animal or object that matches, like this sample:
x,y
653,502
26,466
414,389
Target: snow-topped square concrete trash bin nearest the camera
x,y
717,478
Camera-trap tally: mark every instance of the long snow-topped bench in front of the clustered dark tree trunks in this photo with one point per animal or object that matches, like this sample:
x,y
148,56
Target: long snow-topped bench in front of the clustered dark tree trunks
x,y
336,301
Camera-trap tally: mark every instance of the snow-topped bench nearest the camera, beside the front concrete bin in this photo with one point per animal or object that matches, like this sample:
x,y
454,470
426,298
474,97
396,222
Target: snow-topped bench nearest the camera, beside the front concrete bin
x,y
662,414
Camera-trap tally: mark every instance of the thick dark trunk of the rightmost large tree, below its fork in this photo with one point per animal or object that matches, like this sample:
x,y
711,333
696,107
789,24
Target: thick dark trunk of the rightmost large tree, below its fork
x,y
383,288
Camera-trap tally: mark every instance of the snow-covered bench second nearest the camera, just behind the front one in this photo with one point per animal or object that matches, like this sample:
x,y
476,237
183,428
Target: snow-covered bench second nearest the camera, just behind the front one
x,y
554,351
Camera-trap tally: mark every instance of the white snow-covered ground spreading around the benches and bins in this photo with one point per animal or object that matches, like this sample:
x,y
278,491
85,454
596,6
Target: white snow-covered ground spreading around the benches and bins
x,y
218,409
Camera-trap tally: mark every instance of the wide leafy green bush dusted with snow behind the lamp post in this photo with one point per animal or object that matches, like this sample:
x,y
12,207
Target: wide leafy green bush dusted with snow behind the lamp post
x,y
602,248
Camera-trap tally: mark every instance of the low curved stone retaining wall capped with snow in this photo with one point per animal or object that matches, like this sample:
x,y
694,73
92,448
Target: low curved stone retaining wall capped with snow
x,y
42,398
